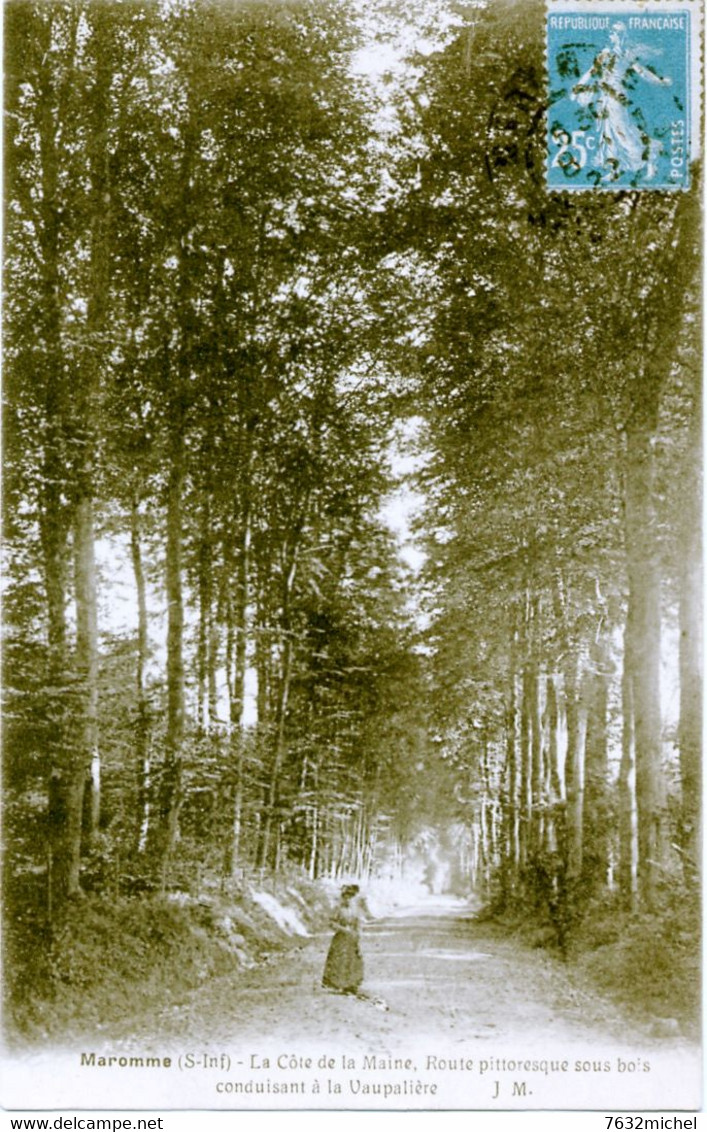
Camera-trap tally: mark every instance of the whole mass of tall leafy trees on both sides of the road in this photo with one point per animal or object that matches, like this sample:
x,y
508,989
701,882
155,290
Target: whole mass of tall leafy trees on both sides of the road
x,y
235,267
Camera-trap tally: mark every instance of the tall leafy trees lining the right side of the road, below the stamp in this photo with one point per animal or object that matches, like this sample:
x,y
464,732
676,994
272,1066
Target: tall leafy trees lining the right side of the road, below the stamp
x,y
563,392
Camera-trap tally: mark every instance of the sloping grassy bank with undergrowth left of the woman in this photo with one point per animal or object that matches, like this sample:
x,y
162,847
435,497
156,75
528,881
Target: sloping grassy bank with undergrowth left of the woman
x,y
111,957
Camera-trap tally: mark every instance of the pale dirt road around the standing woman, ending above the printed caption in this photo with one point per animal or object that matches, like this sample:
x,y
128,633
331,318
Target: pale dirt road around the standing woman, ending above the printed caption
x,y
445,979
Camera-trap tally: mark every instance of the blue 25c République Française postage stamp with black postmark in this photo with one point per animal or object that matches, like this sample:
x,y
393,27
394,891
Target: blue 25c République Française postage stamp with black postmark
x,y
620,112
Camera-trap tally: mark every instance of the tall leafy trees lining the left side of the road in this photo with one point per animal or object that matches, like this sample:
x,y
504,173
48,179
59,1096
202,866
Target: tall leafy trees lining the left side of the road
x,y
199,395
